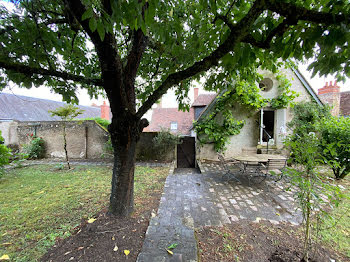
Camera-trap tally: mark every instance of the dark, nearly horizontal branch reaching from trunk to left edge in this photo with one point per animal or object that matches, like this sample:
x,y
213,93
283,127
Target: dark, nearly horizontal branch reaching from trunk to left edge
x,y
29,71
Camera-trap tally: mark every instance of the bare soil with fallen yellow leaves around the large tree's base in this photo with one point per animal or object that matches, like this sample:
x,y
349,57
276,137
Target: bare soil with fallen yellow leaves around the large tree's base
x,y
108,237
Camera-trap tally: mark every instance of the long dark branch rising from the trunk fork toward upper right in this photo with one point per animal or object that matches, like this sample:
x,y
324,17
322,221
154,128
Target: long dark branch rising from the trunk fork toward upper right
x,y
237,34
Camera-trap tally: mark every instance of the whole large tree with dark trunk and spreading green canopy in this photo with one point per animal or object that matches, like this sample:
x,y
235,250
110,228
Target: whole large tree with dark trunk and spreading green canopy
x,y
141,48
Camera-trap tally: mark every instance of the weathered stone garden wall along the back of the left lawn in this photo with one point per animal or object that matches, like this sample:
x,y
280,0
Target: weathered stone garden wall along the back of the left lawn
x,y
85,140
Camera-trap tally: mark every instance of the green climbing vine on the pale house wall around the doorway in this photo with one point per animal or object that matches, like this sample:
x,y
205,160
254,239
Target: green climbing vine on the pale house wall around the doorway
x,y
220,124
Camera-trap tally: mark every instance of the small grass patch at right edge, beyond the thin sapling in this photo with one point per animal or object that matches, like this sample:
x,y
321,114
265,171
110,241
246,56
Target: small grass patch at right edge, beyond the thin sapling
x,y
337,232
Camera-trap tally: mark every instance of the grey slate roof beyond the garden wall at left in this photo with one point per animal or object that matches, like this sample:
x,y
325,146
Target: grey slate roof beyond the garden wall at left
x,y
24,108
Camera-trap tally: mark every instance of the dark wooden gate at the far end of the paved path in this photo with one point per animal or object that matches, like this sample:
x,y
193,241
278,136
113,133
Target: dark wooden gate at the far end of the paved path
x,y
186,153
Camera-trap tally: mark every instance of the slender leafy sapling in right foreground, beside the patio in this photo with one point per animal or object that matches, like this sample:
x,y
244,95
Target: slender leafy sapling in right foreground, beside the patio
x,y
315,196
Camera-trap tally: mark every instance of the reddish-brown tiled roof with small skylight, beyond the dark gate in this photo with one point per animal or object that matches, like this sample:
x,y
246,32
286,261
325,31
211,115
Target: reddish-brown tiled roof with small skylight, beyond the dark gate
x,y
162,118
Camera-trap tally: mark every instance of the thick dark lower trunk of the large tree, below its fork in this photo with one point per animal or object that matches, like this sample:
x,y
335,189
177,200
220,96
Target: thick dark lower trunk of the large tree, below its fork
x,y
125,133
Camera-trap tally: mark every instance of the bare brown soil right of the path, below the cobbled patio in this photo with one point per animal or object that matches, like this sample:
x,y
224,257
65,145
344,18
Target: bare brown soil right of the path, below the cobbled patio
x,y
246,241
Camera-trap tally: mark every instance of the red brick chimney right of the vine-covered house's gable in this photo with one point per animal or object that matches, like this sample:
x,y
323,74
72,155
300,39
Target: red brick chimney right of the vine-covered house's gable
x,y
330,94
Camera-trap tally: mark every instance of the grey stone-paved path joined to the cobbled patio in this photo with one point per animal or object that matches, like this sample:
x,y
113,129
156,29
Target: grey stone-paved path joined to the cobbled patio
x,y
192,200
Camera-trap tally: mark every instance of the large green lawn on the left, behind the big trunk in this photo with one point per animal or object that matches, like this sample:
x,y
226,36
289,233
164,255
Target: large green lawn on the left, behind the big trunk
x,y
40,204
